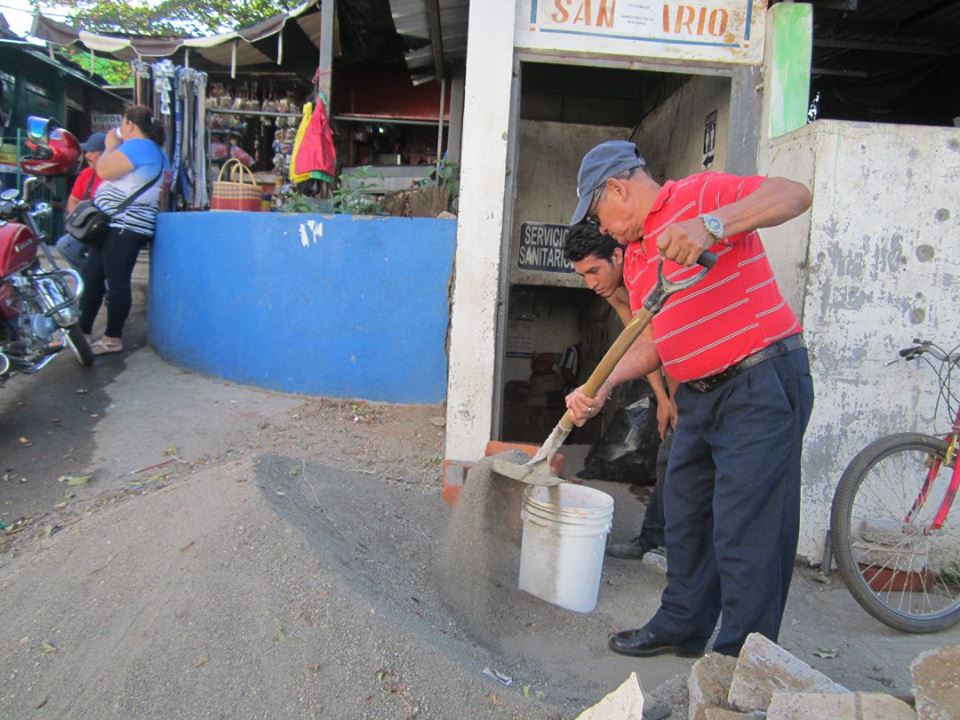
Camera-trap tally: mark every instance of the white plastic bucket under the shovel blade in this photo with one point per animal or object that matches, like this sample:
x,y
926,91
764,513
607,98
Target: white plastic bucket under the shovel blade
x,y
565,532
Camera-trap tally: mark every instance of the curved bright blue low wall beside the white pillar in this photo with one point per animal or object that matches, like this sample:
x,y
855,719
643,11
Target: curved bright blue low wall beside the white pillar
x,y
332,305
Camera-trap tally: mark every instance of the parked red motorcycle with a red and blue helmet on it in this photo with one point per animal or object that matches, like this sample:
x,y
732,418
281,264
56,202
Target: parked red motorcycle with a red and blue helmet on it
x,y
39,316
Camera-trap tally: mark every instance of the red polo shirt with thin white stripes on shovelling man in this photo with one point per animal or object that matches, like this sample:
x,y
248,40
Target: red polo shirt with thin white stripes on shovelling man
x,y
736,310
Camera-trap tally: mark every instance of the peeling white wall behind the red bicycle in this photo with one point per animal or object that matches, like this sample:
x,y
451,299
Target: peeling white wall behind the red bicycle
x,y
870,267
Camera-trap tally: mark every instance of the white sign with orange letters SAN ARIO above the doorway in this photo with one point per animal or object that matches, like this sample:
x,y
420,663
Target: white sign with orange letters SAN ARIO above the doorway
x,y
709,30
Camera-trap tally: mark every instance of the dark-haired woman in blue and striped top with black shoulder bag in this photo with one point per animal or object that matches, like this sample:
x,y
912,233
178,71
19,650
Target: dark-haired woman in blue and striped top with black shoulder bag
x,y
133,163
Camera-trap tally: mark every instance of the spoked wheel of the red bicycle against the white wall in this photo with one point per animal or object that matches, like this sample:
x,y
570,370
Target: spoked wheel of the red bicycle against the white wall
x,y
901,572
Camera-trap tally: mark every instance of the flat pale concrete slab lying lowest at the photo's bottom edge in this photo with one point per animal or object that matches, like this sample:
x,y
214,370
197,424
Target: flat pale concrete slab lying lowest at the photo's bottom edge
x,y
846,706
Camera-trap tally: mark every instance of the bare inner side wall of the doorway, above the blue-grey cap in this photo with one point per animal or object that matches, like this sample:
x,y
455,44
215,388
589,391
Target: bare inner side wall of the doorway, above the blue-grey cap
x,y
671,137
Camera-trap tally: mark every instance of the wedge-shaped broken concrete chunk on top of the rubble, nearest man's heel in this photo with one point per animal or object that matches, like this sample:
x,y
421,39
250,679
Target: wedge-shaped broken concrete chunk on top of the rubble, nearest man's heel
x,y
764,667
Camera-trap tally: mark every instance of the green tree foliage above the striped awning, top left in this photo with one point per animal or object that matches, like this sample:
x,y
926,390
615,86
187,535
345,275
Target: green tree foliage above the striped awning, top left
x,y
167,17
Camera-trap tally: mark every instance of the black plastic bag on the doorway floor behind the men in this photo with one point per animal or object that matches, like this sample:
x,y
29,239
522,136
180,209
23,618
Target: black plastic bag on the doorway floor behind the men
x,y
627,450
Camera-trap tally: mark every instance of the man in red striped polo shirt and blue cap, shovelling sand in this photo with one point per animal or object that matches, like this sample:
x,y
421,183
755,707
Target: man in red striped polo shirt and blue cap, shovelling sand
x,y
732,498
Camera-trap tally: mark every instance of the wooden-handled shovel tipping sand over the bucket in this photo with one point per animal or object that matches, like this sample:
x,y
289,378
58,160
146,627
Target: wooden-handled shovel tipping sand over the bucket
x,y
537,470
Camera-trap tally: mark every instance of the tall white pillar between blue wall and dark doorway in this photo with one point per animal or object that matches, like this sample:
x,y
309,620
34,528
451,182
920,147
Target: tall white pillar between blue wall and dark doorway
x,y
473,321
